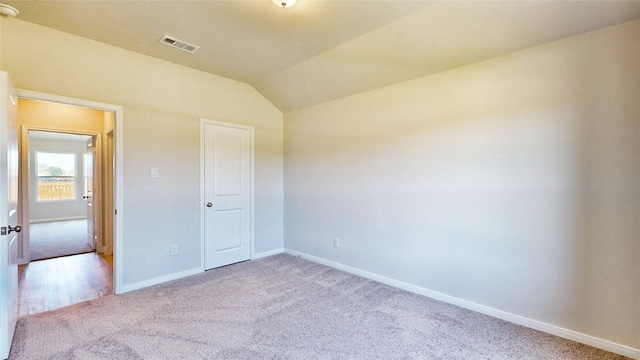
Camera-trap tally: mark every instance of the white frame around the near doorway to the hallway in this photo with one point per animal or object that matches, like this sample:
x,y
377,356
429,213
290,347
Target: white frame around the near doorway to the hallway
x,y
118,184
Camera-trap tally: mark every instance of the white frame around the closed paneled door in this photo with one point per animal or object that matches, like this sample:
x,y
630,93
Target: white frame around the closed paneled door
x,y
203,122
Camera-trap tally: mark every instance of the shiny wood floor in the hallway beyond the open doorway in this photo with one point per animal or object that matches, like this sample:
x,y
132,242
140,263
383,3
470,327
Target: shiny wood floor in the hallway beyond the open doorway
x,y
54,283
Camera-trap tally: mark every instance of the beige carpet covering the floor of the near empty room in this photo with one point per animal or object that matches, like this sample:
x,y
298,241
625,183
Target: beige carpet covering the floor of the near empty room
x,y
280,307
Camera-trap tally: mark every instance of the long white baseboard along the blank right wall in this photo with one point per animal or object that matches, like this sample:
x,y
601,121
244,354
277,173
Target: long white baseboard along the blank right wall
x,y
516,319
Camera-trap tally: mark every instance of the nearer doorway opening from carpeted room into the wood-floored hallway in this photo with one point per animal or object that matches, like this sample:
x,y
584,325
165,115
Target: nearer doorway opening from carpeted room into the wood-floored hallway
x,y
69,189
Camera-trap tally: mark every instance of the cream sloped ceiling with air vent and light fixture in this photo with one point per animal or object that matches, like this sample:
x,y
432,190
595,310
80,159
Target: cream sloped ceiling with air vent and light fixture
x,y
319,50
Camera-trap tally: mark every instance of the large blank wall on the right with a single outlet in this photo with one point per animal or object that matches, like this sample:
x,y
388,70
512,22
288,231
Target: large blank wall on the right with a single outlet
x,y
511,183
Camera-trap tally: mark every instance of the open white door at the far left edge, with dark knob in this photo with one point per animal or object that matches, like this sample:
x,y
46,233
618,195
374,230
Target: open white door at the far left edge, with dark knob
x,y
8,215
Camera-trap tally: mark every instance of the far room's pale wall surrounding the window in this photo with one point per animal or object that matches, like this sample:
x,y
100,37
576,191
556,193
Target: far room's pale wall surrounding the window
x,y
64,209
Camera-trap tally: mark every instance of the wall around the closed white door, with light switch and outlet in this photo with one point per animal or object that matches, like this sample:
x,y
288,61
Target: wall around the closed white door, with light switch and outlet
x,y
163,104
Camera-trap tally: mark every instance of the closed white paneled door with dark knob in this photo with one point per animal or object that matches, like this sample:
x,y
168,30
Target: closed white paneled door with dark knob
x,y
227,178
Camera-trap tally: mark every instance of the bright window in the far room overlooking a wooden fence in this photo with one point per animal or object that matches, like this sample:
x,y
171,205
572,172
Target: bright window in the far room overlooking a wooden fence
x,y
56,176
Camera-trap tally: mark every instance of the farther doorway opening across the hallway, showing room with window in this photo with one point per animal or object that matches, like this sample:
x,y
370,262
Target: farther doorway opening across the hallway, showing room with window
x,y
61,218
